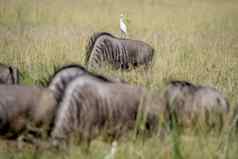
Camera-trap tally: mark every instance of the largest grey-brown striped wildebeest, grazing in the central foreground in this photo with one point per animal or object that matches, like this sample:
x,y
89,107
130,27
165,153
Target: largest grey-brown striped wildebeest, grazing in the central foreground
x,y
92,106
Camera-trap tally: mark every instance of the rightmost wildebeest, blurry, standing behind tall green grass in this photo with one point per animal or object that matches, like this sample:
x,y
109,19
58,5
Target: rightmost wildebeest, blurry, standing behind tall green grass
x,y
189,104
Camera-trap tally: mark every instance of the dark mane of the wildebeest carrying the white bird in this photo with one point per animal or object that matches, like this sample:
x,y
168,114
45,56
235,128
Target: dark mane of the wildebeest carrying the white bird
x,y
92,40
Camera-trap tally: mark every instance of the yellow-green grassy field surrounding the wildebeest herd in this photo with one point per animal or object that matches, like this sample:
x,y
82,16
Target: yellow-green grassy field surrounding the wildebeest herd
x,y
195,40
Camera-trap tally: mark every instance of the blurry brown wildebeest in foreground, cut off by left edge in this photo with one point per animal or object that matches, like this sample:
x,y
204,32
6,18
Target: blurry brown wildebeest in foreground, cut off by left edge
x,y
23,108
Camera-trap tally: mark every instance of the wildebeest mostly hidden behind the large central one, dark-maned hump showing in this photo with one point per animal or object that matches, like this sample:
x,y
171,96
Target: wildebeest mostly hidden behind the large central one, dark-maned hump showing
x,y
65,74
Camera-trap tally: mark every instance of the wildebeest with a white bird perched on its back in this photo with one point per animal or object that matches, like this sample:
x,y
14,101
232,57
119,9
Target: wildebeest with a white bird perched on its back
x,y
119,53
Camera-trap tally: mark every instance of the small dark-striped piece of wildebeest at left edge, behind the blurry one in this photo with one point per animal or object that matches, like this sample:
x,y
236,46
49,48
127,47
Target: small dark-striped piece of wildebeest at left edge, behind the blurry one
x,y
8,74
